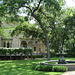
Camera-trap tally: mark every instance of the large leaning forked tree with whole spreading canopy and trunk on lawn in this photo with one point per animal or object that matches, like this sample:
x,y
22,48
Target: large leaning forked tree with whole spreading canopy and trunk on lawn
x,y
47,15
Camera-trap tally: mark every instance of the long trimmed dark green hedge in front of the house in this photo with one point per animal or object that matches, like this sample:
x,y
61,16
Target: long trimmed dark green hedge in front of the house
x,y
10,51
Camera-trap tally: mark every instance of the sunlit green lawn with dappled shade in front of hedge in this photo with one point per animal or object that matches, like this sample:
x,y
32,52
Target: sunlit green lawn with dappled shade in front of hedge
x,y
23,67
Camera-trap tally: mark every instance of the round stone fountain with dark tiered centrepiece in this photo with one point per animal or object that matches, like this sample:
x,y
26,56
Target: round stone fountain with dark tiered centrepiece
x,y
62,62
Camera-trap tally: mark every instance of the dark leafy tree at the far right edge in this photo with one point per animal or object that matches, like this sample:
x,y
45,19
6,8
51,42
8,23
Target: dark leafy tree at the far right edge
x,y
70,26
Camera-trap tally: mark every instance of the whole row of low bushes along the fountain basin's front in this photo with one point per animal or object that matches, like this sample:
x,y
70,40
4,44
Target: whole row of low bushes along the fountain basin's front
x,y
49,68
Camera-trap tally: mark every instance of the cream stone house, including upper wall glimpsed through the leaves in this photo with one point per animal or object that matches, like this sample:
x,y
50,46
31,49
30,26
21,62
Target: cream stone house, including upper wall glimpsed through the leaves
x,y
18,41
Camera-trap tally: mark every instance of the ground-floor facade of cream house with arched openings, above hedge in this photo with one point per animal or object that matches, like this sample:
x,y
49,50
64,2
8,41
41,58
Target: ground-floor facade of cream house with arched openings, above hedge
x,y
18,42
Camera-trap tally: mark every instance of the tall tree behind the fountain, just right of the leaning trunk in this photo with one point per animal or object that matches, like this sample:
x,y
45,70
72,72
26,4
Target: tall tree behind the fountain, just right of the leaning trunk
x,y
59,32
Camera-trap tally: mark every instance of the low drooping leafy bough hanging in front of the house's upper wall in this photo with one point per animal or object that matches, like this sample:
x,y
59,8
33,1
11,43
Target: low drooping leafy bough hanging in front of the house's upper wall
x,y
26,29
